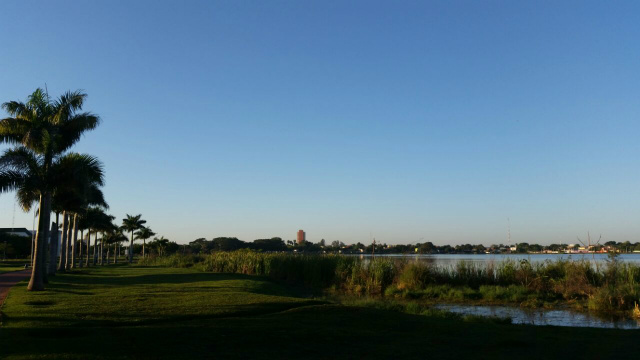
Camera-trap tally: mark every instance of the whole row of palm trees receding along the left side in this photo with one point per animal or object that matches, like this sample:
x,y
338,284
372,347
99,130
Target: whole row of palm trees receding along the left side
x,y
41,169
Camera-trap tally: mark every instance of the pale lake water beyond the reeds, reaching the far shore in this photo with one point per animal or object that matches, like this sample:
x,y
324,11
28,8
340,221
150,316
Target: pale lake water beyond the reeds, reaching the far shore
x,y
452,259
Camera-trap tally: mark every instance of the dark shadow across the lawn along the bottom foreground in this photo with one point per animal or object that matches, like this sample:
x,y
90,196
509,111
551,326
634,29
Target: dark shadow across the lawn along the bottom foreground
x,y
320,332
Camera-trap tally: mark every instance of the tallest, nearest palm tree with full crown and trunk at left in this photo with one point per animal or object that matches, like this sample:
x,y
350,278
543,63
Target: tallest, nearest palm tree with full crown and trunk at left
x,y
48,128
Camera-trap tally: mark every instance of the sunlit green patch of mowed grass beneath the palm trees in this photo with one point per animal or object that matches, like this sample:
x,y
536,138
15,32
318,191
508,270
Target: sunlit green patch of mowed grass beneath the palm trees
x,y
122,295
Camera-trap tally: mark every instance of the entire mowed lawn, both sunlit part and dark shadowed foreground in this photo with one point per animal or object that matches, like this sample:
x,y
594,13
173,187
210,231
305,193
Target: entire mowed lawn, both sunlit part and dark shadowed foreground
x,y
132,312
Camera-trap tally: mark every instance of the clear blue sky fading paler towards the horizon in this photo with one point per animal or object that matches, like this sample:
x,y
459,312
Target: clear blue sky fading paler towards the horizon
x,y
432,120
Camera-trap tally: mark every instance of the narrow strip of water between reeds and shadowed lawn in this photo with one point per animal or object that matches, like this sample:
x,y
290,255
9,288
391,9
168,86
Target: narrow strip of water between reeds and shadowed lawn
x,y
542,317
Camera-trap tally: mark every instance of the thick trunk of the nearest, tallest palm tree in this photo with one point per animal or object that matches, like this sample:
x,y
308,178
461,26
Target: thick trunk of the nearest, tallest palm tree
x,y
38,273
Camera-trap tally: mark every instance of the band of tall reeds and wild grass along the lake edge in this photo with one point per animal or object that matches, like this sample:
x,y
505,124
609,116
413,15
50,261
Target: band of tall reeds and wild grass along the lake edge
x,y
612,288
